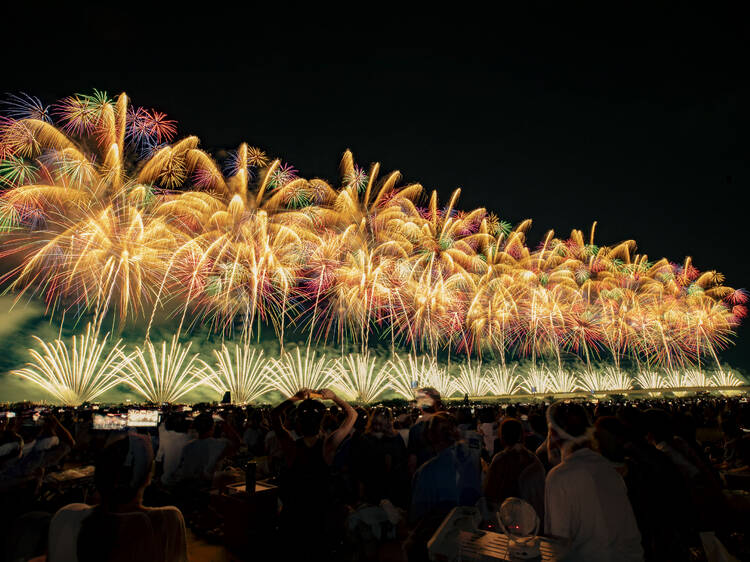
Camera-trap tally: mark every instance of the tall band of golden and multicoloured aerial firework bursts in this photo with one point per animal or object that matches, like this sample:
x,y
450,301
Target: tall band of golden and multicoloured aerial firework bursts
x,y
101,212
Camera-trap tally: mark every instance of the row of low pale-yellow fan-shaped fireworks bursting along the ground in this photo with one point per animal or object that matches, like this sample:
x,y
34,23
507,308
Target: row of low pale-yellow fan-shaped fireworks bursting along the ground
x,y
86,369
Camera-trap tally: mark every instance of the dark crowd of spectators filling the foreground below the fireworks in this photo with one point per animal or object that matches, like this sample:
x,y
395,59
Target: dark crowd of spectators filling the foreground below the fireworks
x,y
617,480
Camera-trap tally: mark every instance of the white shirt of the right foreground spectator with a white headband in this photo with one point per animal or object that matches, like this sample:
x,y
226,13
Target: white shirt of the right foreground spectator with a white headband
x,y
586,501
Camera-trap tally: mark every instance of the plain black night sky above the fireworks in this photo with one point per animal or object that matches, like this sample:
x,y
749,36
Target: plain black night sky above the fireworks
x,y
638,121
